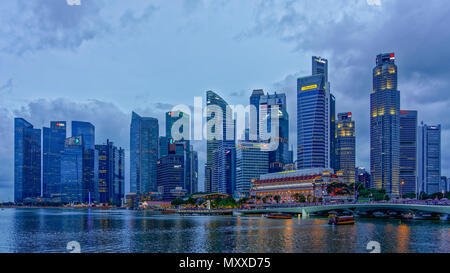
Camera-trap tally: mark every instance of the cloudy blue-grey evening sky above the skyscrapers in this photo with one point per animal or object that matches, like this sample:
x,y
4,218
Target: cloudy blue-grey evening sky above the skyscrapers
x,y
99,61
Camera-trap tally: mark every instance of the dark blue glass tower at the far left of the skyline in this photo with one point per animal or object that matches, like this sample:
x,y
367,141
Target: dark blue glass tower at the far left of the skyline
x,y
27,160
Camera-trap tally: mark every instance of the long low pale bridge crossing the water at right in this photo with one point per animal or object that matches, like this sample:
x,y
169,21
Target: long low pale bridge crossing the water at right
x,y
305,211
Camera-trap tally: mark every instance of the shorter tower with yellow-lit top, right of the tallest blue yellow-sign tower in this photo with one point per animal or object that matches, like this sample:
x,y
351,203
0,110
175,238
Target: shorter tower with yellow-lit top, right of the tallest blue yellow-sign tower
x,y
345,147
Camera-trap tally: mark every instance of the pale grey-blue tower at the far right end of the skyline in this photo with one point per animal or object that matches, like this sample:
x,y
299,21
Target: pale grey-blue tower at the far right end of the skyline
x,y
429,165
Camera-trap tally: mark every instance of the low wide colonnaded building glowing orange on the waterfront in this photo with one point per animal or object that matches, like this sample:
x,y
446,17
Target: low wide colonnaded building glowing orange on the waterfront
x,y
287,184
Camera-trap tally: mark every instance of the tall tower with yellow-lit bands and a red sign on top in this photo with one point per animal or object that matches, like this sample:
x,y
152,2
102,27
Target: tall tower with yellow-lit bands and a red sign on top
x,y
385,126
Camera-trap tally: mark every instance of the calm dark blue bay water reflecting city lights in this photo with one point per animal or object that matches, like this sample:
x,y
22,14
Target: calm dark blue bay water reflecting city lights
x,y
49,230
